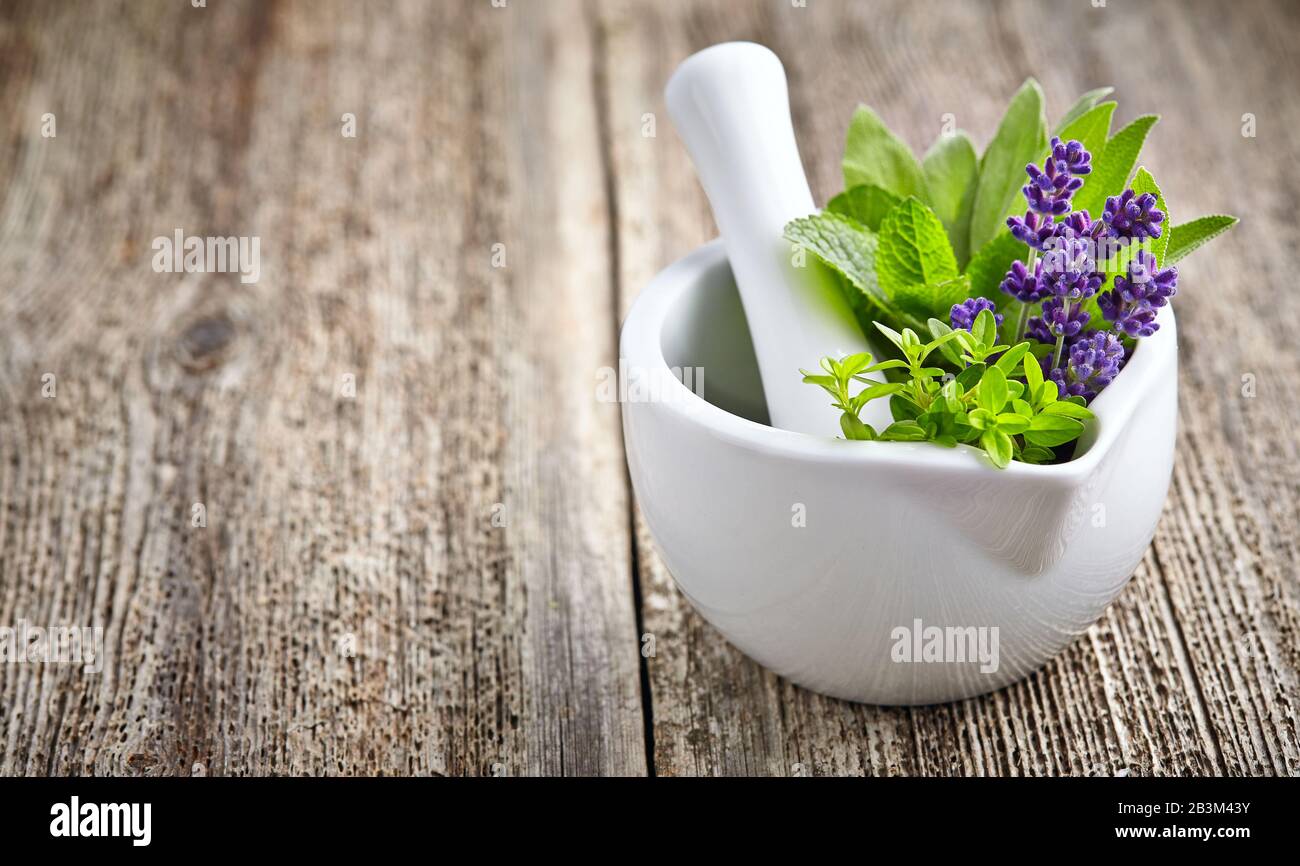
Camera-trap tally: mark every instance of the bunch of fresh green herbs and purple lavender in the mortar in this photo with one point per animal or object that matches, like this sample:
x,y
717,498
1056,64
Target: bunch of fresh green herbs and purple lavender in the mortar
x,y
960,248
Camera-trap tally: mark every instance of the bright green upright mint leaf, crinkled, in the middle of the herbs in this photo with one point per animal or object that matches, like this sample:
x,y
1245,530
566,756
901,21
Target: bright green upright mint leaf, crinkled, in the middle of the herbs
x,y
913,250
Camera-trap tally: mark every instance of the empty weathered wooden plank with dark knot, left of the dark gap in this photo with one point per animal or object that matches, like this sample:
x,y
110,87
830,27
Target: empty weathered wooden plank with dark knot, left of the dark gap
x,y
352,605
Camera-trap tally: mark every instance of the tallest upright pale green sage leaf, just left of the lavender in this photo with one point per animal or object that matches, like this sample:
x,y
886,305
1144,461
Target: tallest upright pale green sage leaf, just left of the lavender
x,y
1020,140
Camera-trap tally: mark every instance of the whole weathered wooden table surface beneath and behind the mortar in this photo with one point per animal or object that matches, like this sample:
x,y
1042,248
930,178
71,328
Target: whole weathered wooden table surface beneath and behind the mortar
x,y
445,573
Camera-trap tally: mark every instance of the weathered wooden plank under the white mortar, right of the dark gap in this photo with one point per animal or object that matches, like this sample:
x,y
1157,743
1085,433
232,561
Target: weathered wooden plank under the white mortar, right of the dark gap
x,y
1194,669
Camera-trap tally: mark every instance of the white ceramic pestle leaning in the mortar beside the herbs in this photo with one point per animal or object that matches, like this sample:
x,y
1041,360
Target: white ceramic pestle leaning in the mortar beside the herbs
x,y
731,107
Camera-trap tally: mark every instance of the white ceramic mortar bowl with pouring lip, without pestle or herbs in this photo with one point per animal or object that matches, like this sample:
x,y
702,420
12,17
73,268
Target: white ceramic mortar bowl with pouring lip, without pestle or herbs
x,y
883,573
